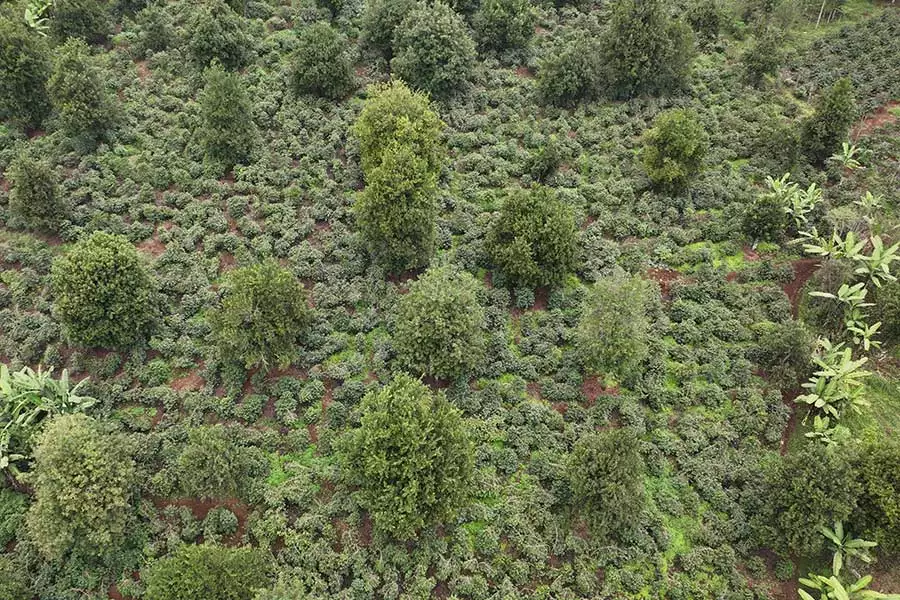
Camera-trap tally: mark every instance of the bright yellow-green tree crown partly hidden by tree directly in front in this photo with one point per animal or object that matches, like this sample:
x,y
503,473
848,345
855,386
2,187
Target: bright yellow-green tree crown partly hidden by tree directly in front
x,y
395,114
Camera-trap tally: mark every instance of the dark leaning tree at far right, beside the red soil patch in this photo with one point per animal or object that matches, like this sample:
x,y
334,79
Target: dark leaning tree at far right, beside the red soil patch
x,y
822,132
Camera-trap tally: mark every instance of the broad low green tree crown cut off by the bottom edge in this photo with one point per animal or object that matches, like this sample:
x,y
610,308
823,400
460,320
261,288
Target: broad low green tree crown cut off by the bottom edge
x,y
208,572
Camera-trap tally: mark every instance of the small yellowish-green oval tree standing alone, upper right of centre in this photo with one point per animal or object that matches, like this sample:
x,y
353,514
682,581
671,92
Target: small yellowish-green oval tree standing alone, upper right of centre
x,y
674,149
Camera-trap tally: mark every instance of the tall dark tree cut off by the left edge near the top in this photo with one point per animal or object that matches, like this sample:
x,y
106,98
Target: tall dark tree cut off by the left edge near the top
x,y
24,70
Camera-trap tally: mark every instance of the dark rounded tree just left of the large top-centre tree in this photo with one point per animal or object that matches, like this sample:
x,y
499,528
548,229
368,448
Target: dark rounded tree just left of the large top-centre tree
x,y
321,64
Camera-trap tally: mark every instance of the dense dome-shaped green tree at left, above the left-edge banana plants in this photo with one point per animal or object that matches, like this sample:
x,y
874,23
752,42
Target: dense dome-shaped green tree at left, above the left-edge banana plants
x,y
103,294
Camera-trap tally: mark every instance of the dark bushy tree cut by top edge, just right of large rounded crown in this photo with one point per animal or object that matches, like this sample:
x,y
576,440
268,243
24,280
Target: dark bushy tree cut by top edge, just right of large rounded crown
x,y
501,24
